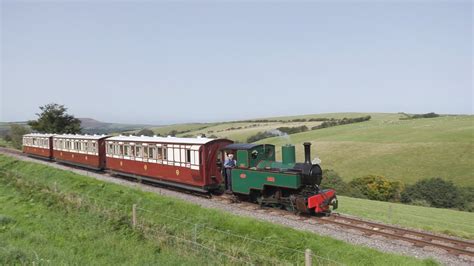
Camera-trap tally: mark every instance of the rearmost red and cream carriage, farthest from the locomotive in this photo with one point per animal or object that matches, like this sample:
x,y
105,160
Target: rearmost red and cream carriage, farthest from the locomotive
x,y
38,145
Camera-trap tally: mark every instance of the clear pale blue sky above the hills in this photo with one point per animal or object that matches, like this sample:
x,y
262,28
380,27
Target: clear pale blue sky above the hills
x,y
193,61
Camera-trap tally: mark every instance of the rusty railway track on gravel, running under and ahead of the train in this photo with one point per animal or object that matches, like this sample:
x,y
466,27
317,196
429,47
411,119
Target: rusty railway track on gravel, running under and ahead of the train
x,y
453,246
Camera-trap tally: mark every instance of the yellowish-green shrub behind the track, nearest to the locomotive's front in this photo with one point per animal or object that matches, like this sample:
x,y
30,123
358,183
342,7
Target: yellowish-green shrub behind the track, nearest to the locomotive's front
x,y
376,187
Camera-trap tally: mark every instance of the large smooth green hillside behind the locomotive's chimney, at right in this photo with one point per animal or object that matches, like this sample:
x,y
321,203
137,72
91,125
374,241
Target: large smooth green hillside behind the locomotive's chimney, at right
x,y
405,150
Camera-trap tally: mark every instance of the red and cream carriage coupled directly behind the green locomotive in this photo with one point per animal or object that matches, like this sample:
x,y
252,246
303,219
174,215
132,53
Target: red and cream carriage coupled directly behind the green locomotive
x,y
188,163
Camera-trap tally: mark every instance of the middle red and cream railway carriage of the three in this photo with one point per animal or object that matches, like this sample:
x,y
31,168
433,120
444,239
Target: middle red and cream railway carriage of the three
x,y
81,150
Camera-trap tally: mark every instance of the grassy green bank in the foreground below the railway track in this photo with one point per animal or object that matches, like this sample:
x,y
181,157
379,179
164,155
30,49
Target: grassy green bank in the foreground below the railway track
x,y
52,216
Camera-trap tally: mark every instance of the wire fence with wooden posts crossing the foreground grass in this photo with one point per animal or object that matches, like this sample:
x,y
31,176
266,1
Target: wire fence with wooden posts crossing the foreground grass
x,y
201,239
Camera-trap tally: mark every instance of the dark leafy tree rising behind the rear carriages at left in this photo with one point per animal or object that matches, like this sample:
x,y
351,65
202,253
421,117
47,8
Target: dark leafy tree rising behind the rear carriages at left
x,y
54,119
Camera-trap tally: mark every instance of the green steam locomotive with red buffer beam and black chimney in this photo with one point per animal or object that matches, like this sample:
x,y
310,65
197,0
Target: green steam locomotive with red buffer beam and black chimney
x,y
288,184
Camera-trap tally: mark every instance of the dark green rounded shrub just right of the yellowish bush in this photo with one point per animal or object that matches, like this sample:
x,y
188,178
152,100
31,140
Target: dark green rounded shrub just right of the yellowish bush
x,y
436,191
